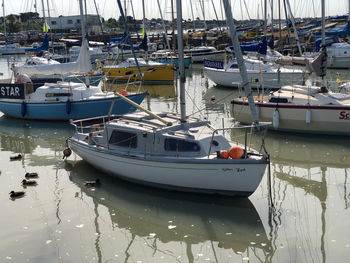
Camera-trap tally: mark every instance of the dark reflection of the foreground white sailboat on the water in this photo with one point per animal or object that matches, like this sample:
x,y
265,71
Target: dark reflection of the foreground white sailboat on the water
x,y
168,217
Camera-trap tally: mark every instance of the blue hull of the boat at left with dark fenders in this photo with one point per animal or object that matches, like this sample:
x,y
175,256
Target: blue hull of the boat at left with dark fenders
x,y
78,109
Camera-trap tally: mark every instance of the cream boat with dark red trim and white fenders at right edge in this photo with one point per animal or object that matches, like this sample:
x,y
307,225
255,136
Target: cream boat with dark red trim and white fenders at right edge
x,y
298,108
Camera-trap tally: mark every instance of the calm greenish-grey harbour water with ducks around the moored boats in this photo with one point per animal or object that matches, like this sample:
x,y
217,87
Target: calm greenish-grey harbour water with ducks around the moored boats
x,y
60,220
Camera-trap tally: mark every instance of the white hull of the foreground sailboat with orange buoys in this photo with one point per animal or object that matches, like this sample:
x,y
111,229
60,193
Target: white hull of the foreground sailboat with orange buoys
x,y
233,178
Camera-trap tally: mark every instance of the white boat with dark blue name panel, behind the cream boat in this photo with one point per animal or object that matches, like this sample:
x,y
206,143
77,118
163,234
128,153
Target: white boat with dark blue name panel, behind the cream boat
x,y
259,73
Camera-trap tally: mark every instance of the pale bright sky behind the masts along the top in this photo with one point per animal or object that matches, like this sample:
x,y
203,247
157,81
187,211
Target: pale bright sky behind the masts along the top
x,y
242,9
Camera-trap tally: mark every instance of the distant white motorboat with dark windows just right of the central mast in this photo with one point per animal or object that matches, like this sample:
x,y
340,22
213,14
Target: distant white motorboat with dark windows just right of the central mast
x,y
199,54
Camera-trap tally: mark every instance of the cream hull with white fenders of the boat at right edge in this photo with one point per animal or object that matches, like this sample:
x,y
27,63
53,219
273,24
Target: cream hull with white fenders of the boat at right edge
x,y
293,118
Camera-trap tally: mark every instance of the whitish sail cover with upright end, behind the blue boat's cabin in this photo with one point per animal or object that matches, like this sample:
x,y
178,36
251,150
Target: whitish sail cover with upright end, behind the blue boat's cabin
x,y
81,66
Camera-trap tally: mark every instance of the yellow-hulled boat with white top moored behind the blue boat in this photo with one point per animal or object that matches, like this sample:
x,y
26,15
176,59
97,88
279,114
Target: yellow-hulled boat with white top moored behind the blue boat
x,y
153,72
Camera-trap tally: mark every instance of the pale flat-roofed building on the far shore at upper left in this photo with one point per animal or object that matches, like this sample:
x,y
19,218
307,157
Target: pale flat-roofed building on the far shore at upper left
x,y
73,23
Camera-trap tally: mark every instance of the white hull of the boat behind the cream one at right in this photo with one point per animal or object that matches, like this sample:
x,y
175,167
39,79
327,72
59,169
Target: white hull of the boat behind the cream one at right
x,y
269,79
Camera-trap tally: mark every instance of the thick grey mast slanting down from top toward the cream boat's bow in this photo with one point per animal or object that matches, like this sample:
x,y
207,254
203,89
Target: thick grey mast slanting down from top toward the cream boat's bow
x,y
240,61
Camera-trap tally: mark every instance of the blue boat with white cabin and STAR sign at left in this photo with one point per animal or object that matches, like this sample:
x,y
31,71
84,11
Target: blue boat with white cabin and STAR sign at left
x,y
62,101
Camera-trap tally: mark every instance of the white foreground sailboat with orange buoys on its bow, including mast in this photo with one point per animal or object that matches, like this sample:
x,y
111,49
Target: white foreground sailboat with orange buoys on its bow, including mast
x,y
171,151
